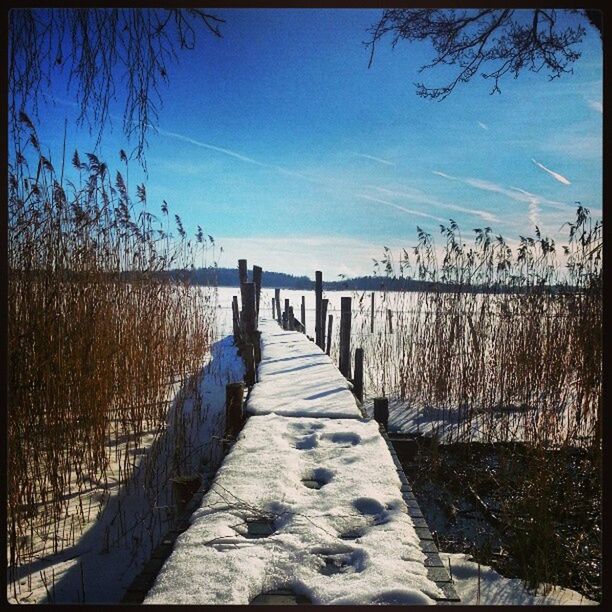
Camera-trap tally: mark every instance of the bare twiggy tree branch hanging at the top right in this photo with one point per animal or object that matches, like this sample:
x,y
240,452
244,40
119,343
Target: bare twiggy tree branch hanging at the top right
x,y
501,40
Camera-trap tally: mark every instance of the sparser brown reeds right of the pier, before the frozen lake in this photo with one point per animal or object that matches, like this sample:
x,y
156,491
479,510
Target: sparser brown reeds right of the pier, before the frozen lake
x,y
505,344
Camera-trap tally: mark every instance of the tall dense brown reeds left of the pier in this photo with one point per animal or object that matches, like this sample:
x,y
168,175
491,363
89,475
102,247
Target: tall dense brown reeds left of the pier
x,y
98,339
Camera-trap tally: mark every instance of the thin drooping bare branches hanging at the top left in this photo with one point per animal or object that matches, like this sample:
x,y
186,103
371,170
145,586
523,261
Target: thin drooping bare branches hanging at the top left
x,y
104,52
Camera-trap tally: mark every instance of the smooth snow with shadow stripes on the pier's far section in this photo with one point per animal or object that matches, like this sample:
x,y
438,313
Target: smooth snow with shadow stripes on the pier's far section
x,y
296,378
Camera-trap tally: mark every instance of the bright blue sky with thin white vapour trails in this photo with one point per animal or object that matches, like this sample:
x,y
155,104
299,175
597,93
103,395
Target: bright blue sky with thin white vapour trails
x,y
280,142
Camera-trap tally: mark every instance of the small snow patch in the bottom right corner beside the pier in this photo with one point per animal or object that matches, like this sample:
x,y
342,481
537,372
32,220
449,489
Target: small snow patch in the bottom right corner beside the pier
x,y
497,590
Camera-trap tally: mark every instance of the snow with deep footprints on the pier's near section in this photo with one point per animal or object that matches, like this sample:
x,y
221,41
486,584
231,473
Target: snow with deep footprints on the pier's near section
x,y
215,562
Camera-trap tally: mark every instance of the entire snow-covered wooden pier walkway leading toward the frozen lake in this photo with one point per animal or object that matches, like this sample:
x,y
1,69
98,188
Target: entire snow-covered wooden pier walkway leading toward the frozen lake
x,y
309,506
